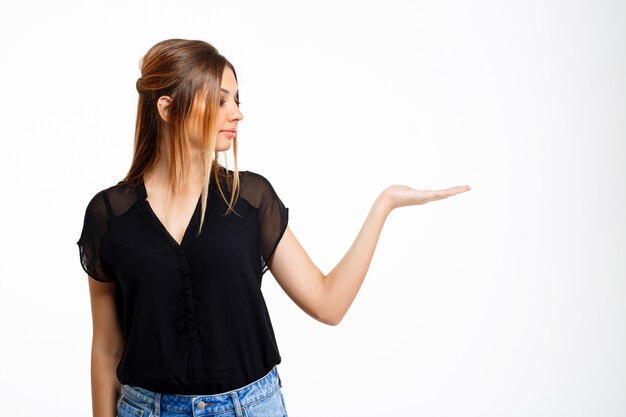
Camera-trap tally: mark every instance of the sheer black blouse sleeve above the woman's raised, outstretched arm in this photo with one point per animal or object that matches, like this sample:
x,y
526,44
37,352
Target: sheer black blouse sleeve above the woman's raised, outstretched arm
x,y
273,215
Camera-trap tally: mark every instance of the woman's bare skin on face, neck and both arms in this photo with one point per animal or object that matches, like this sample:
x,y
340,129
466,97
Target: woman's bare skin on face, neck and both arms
x,y
326,298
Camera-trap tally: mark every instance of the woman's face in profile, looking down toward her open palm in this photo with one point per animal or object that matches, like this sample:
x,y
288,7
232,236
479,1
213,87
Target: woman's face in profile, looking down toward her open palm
x,y
228,114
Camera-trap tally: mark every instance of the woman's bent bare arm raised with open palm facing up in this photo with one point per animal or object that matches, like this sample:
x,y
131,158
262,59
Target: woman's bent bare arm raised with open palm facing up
x,y
328,298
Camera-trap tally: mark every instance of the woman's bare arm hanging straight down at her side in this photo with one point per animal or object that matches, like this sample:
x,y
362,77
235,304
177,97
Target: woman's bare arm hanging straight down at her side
x,y
106,348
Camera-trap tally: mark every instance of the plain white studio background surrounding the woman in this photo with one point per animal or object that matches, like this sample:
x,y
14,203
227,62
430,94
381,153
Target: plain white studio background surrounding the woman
x,y
508,300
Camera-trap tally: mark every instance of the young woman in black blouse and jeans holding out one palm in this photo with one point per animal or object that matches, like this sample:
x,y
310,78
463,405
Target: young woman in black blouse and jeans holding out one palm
x,y
177,249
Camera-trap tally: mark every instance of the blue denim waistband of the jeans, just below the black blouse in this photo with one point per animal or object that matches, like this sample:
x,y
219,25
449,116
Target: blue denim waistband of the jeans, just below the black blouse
x,y
213,403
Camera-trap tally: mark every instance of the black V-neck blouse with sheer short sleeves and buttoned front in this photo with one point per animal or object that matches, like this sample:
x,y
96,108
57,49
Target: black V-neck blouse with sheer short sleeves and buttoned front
x,y
193,315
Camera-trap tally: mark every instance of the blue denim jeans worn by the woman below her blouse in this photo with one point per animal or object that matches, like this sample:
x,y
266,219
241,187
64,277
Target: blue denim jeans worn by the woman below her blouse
x,y
262,398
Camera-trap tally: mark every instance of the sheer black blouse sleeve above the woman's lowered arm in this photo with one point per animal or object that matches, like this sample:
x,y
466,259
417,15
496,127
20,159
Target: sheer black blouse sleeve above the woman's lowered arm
x,y
95,226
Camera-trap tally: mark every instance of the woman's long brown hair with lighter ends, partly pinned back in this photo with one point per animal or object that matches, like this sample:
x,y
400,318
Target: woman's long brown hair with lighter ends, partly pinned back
x,y
187,71
